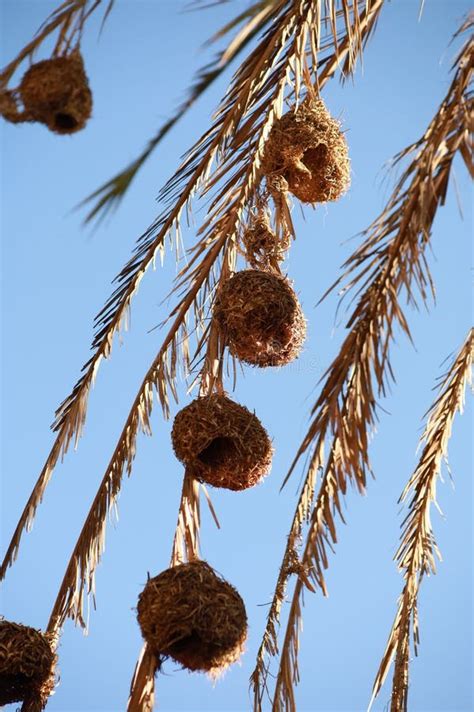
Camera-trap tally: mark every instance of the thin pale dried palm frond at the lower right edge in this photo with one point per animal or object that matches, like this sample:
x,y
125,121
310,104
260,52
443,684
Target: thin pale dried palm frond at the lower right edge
x,y
418,550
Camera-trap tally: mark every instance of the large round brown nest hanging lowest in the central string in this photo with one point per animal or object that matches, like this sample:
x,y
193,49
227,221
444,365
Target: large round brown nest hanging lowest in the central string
x,y
193,616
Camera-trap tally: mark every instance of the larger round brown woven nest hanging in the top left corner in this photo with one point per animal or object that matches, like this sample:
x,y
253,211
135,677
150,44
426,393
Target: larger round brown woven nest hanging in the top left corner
x,y
56,92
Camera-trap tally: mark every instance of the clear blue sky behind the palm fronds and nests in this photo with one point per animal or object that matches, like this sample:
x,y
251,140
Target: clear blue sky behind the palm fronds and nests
x,y
55,277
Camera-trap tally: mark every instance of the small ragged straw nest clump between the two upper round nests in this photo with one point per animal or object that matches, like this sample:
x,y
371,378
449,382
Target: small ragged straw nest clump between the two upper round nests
x,y
263,248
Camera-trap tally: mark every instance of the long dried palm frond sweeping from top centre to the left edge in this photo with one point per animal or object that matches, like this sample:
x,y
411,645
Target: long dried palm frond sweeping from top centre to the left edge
x,y
267,67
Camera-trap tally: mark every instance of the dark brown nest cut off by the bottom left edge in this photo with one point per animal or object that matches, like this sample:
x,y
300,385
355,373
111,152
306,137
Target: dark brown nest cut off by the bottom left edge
x,y
27,664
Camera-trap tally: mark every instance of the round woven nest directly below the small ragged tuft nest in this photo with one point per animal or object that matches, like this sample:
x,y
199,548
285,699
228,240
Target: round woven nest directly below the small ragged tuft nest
x,y
261,318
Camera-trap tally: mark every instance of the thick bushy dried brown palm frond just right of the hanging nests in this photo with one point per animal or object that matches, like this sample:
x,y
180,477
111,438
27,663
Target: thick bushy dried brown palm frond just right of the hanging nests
x,y
390,262
